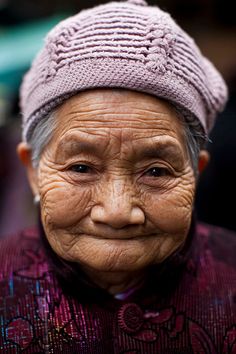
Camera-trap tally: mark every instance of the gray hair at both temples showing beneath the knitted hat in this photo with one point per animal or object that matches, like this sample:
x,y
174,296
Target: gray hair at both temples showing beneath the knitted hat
x,y
195,138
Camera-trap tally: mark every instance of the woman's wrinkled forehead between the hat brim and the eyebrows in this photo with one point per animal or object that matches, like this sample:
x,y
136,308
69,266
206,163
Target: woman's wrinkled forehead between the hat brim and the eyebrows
x,y
123,114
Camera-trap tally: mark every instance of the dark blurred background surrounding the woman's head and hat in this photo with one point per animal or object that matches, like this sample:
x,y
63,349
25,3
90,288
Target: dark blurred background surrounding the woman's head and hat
x,y
24,24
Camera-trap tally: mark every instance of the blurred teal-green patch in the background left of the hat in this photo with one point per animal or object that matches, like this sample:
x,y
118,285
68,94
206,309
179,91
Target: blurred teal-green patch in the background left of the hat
x,y
18,46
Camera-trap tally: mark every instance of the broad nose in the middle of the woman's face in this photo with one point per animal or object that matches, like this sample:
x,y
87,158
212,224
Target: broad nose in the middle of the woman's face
x,y
117,207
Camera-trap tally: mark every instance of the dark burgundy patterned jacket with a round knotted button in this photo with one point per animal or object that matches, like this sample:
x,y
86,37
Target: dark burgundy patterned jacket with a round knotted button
x,y
196,315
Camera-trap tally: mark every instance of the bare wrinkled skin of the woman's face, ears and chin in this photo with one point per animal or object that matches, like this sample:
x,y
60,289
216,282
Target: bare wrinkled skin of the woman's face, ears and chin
x,y
116,184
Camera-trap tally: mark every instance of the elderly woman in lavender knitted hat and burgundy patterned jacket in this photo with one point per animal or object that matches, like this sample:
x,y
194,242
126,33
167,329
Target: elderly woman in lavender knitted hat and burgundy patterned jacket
x,y
116,111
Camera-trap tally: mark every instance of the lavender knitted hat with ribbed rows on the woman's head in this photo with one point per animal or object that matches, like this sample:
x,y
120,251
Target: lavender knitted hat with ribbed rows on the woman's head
x,y
124,45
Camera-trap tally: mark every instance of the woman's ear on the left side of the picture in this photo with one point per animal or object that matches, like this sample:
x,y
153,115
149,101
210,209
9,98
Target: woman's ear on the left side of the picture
x,y
24,154
